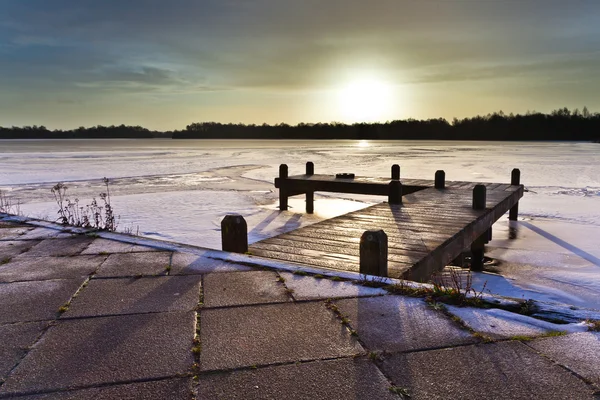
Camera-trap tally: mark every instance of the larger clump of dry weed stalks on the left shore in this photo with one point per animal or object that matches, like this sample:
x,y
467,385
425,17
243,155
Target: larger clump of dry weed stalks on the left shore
x,y
94,215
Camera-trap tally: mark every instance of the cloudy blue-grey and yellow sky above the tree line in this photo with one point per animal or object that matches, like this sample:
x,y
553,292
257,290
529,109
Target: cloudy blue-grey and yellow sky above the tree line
x,y
165,64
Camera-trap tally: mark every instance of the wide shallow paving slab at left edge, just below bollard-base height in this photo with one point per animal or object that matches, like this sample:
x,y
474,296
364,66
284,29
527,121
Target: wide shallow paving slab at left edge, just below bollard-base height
x,y
22,268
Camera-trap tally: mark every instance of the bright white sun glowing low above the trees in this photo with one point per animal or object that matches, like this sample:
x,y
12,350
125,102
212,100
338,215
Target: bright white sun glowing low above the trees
x,y
365,100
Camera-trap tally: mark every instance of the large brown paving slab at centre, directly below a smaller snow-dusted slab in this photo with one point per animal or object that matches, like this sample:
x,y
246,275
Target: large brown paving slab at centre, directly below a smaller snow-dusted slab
x,y
258,335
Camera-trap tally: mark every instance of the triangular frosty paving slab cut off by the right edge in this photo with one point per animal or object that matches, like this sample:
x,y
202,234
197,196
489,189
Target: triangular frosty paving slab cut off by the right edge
x,y
579,352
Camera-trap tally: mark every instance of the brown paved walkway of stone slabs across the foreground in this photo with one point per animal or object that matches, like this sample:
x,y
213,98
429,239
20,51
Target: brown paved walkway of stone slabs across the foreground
x,y
86,317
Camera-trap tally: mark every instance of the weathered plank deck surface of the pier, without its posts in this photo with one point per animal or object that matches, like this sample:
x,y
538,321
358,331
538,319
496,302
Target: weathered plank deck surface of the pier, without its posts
x,y
425,233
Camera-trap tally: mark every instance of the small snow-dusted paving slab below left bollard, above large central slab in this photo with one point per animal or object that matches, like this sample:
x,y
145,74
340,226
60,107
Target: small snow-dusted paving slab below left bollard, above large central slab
x,y
238,288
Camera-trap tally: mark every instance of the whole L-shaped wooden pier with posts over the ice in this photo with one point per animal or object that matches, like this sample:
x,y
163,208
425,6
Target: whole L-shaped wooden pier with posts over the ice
x,y
426,224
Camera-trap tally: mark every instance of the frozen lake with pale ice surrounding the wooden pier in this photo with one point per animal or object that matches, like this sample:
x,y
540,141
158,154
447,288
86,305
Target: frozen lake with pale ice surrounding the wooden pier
x,y
180,189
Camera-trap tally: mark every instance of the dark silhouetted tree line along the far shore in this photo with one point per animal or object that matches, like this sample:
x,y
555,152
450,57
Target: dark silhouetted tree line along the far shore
x,y
561,124
